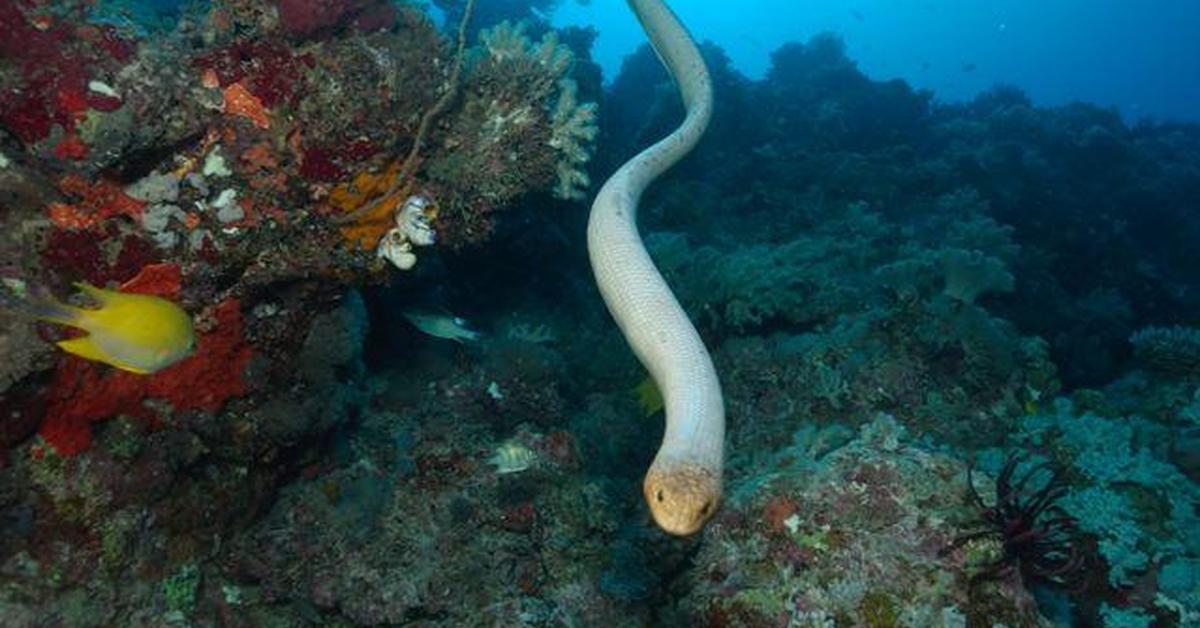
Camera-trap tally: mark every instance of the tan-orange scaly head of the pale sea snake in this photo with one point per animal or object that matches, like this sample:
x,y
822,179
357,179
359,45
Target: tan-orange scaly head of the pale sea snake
x,y
682,498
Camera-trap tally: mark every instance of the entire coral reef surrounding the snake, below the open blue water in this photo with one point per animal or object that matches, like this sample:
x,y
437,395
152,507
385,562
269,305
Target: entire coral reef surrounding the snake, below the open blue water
x,y
958,344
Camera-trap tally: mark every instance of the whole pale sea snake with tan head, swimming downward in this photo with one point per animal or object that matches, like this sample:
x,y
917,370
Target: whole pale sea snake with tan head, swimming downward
x,y
683,486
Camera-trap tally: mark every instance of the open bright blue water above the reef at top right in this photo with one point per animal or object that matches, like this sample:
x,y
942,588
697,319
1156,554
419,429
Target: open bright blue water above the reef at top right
x,y
1139,56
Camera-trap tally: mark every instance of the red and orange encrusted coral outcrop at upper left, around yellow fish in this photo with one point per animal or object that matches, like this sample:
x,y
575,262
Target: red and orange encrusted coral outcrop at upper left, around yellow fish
x,y
211,202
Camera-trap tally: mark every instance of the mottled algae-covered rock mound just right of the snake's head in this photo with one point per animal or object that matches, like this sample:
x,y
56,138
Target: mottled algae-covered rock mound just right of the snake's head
x,y
861,536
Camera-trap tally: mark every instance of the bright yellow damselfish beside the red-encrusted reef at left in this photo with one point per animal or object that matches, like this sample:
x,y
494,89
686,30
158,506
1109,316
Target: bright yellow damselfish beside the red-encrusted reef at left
x,y
136,333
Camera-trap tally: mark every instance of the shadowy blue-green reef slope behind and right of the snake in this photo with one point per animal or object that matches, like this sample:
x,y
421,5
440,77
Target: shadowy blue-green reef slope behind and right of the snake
x,y
847,266
